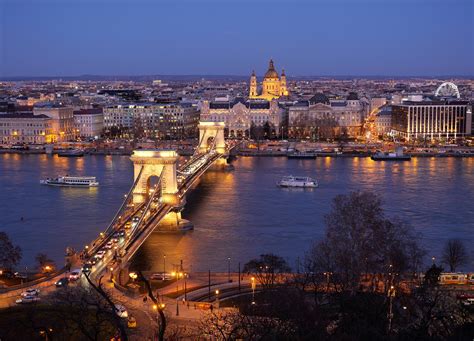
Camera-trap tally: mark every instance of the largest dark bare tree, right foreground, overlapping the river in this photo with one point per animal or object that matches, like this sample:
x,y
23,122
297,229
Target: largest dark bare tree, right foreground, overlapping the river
x,y
360,238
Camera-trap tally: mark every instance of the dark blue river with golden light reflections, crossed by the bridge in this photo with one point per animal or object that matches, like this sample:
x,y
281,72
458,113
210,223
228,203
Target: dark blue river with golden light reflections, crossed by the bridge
x,y
238,214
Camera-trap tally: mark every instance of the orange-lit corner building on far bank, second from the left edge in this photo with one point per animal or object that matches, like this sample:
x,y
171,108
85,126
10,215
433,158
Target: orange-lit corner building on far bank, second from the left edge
x,y
62,121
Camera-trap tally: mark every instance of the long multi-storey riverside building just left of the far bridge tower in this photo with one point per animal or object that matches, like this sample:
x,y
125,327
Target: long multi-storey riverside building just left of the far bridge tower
x,y
154,120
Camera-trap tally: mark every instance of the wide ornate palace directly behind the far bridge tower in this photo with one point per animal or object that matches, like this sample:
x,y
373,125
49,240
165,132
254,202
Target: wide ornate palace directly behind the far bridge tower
x,y
239,115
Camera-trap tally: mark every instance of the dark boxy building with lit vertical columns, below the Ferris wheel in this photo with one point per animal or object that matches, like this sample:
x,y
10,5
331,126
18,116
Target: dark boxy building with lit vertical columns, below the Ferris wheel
x,y
431,120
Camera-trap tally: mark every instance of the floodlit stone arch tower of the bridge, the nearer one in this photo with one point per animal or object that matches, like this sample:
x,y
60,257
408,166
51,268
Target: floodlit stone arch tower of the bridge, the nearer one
x,y
159,163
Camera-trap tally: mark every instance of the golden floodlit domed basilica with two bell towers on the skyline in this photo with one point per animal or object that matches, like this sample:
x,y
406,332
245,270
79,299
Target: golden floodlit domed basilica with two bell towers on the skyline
x,y
272,86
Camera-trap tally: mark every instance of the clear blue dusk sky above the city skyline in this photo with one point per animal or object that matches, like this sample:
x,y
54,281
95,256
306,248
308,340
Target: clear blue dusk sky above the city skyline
x,y
232,37
